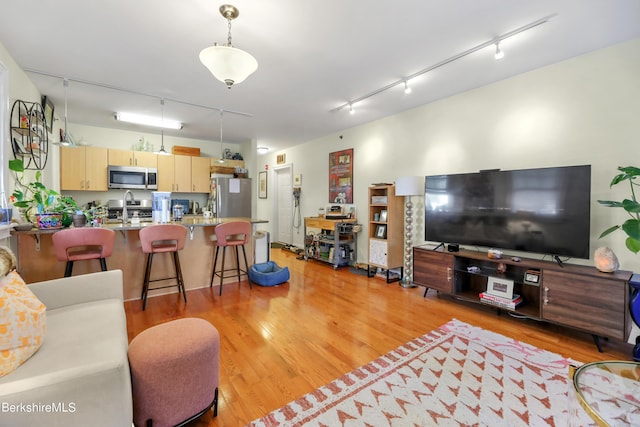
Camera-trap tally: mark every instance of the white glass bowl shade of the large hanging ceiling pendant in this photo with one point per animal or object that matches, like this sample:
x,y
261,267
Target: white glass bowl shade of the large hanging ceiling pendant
x,y
228,64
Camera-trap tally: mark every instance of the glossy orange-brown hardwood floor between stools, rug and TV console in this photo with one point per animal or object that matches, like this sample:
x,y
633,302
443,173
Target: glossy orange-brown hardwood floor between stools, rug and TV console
x,y
281,342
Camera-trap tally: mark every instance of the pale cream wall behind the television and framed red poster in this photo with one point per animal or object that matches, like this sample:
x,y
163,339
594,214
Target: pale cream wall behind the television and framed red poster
x,y
581,111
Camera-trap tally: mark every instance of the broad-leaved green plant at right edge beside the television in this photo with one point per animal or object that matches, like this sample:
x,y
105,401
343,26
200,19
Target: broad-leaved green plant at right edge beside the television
x,y
631,226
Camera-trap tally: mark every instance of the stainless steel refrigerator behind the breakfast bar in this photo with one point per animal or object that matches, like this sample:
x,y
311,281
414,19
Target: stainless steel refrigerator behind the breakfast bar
x,y
230,197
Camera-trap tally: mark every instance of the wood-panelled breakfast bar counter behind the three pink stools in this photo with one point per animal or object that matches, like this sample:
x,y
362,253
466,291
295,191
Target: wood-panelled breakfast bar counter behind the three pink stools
x,y
37,260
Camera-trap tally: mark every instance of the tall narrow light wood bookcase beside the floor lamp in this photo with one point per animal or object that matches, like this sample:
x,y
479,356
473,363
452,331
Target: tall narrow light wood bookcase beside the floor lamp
x,y
385,227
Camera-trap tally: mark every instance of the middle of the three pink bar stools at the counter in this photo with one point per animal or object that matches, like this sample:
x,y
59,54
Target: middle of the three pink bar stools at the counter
x,y
162,238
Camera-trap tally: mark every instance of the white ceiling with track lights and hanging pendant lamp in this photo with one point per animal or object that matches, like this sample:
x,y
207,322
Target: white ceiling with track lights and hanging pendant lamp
x,y
313,56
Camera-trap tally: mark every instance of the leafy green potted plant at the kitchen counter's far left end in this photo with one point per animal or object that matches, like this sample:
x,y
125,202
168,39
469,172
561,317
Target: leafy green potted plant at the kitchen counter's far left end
x,y
37,203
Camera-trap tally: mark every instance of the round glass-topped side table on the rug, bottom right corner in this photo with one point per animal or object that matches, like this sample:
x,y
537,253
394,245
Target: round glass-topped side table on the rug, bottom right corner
x,y
609,391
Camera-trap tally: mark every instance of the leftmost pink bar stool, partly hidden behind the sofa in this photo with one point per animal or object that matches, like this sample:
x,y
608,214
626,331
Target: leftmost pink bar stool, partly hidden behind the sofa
x,y
81,244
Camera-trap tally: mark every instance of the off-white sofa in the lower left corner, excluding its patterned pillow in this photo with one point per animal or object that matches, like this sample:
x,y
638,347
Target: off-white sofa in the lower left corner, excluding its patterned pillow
x,y
80,375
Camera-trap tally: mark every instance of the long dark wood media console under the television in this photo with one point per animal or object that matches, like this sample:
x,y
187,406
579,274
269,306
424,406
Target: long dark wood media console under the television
x,y
575,296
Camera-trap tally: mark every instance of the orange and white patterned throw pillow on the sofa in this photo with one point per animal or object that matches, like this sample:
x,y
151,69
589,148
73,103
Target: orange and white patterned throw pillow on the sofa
x,y
22,323
